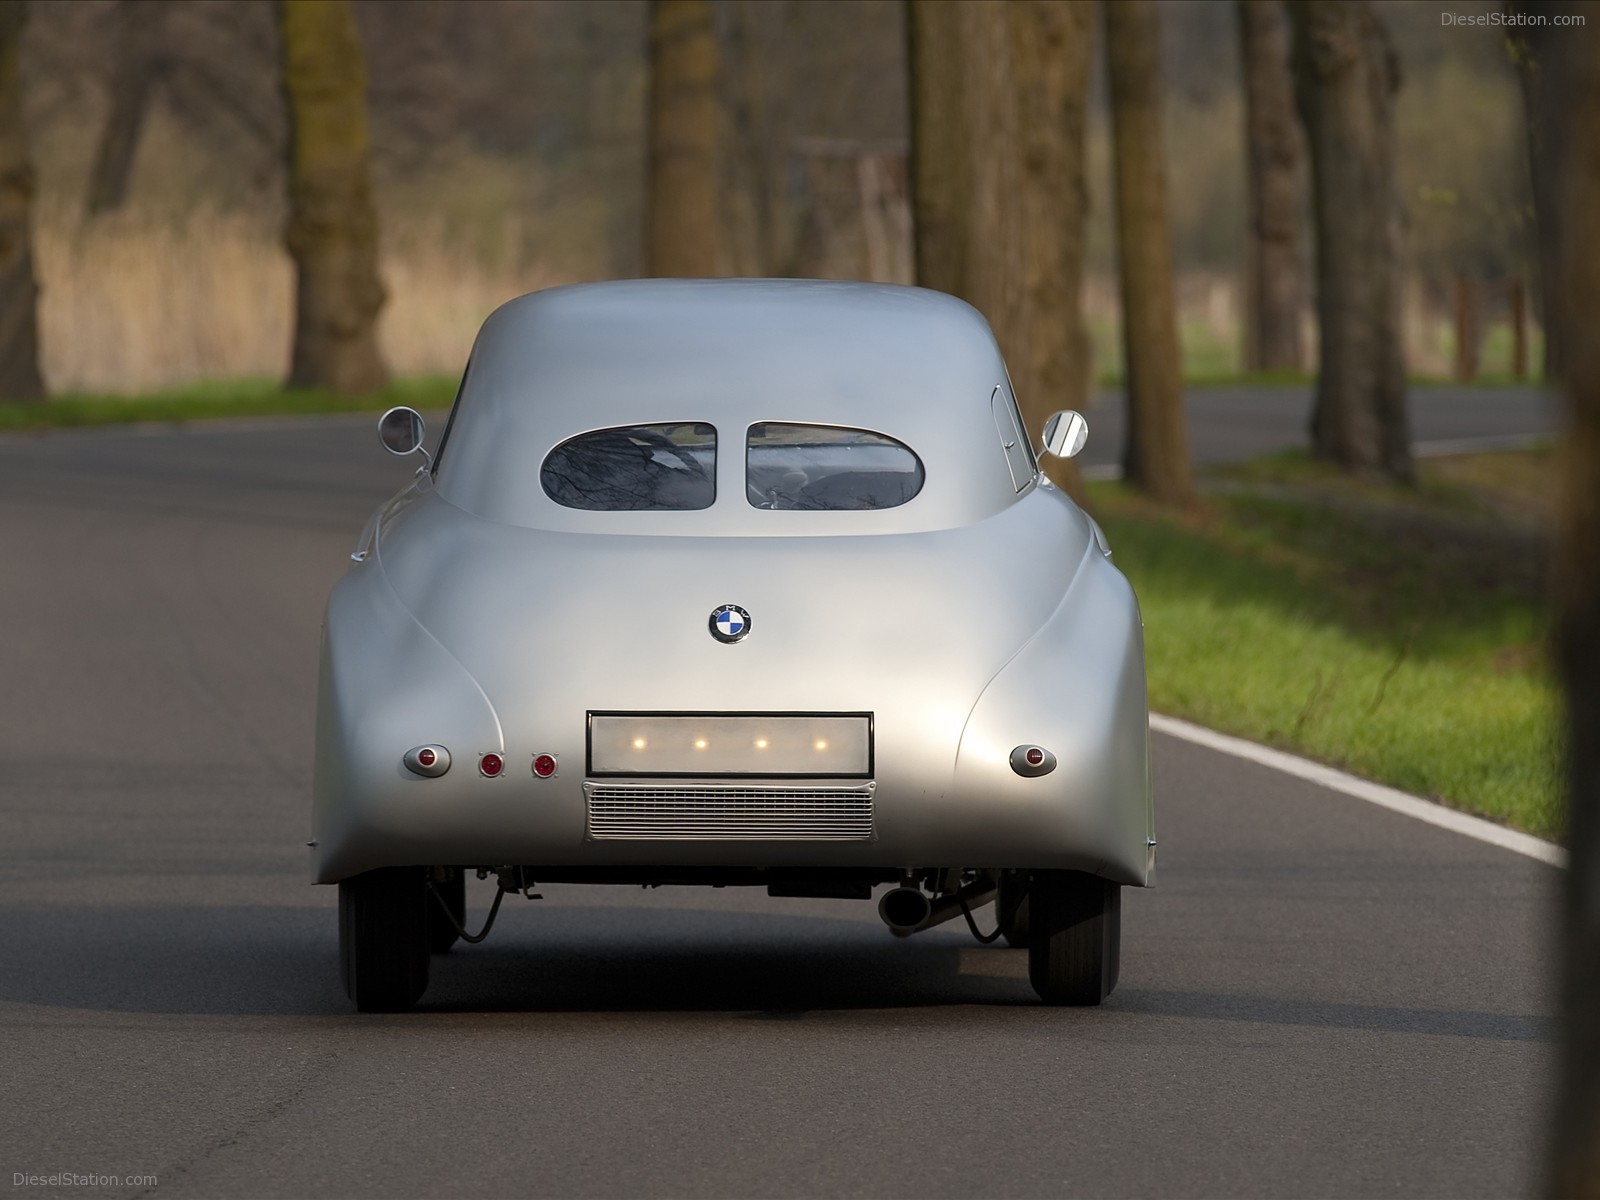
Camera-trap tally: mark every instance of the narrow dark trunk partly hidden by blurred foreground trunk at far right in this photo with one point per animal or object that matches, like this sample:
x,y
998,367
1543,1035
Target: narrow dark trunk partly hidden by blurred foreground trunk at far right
x,y
1529,46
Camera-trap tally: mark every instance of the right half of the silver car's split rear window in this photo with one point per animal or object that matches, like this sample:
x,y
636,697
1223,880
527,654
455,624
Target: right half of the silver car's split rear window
x,y
828,468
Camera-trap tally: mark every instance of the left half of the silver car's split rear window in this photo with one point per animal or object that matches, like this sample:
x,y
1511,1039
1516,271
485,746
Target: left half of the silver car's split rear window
x,y
634,468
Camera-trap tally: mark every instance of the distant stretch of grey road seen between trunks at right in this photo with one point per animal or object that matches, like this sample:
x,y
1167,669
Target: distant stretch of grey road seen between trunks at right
x,y
1236,423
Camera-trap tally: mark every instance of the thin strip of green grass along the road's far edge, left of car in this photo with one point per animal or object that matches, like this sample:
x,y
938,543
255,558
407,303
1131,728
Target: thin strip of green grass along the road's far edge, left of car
x,y
220,399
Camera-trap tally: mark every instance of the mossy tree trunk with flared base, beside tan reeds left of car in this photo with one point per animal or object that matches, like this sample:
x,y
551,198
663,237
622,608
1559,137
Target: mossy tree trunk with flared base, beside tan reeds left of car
x,y
334,228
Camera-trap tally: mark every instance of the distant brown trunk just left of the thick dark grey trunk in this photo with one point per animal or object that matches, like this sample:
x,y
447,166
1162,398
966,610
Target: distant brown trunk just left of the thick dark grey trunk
x,y
1276,156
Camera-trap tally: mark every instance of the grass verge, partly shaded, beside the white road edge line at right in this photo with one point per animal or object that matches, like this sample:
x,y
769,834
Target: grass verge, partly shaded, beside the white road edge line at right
x,y
1396,634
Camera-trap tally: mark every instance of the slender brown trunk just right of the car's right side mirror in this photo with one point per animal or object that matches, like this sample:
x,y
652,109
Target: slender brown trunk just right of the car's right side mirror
x,y
1156,457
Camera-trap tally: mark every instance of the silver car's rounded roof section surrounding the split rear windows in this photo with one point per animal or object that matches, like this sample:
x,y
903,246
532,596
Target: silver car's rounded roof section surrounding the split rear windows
x,y
913,364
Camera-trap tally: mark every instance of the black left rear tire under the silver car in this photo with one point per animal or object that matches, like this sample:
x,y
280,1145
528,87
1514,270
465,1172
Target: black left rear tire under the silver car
x,y
383,940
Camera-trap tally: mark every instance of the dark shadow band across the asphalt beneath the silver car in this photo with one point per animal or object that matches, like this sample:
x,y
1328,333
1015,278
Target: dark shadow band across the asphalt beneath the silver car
x,y
609,959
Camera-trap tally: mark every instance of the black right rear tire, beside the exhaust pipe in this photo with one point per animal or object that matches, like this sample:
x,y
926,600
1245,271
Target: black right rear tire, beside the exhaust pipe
x,y
1074,937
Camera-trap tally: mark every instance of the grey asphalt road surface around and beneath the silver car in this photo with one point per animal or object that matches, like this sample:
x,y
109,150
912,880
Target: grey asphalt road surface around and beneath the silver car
x,y
1319,999
